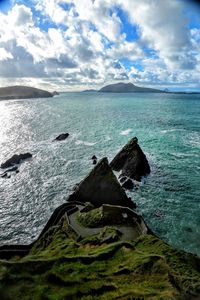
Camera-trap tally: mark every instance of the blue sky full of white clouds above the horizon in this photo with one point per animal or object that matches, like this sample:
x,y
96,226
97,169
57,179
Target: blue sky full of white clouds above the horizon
x,y
74,45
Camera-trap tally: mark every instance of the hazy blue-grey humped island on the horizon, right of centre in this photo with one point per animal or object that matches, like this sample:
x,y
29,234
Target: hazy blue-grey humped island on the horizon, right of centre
x,y
127,88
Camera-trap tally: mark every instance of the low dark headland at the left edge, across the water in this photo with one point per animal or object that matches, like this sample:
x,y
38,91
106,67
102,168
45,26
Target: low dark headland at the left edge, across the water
x,y
23,92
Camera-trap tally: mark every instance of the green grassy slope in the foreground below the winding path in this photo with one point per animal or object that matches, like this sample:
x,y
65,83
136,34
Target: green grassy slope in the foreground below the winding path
x,y
58,267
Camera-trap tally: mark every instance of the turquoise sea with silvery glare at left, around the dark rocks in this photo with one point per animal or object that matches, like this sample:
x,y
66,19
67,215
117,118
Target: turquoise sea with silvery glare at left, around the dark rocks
x,y
168,129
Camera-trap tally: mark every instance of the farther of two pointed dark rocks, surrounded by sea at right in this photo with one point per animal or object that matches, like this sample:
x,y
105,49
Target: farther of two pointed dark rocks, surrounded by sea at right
x,y
131,160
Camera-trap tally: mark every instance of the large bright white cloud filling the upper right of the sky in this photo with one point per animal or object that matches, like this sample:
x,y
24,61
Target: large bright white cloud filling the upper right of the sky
x,y
163,27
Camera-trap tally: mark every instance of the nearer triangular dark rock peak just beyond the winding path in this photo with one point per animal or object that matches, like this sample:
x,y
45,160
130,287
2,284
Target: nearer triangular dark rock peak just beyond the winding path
x,y
101,187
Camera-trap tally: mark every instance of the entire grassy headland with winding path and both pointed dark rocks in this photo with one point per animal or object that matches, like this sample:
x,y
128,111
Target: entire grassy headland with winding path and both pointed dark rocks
x,y
97,246
